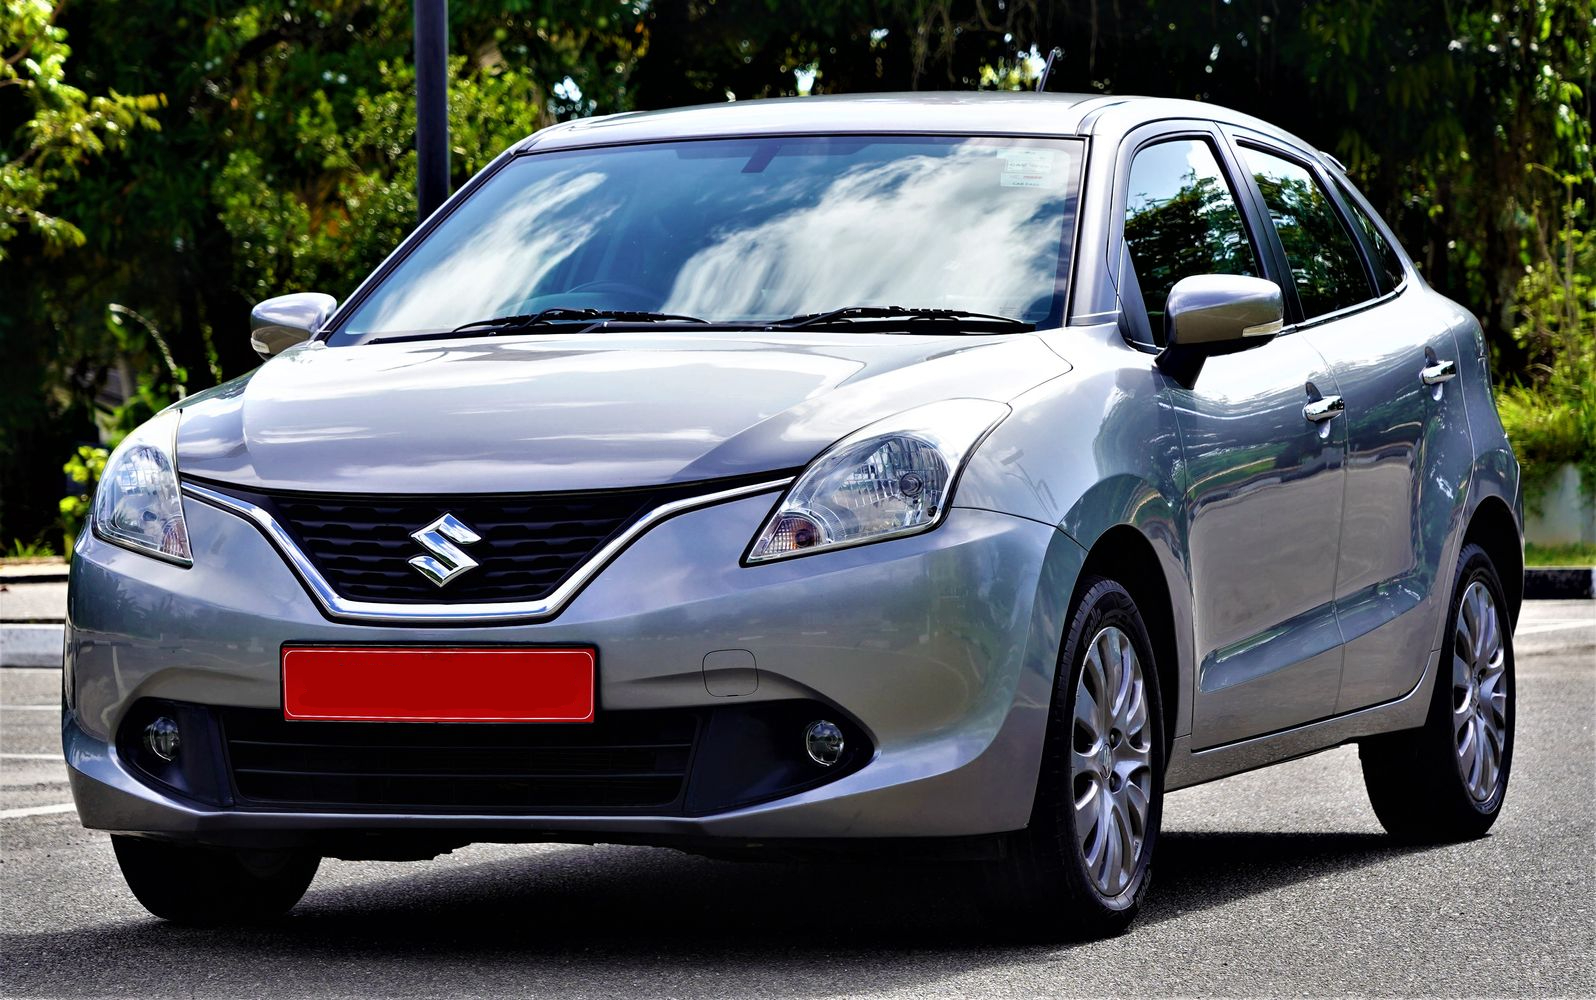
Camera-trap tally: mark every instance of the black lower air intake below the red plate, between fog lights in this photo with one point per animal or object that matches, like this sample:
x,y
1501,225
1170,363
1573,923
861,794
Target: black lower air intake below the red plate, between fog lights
x,y
628,762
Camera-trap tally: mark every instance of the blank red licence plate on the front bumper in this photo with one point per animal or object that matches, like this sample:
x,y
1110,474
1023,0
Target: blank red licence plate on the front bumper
x,y
441,685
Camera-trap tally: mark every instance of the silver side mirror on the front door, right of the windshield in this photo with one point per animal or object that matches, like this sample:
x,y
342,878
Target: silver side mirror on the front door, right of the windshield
x,y
1209,315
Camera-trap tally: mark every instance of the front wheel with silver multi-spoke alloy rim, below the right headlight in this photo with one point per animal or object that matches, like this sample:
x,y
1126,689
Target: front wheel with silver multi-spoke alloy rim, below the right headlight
x,y
1053,884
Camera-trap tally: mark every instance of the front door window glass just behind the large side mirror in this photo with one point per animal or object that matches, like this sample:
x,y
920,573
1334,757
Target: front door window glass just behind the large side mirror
x,y
1180,221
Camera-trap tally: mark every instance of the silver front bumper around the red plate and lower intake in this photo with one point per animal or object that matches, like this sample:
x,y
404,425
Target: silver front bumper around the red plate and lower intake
x,y
941,648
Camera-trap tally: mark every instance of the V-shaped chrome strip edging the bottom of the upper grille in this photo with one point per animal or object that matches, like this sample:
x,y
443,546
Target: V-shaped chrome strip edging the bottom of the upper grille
x,y
336,607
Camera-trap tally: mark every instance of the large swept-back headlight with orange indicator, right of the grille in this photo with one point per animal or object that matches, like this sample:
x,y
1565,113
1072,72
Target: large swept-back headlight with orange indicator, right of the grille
x,y
890,479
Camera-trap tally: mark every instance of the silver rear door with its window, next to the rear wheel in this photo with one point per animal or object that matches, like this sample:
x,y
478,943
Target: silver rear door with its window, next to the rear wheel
x,y
1393,360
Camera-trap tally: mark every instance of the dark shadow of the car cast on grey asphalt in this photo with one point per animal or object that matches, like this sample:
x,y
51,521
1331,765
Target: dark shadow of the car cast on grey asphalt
x,y
639,921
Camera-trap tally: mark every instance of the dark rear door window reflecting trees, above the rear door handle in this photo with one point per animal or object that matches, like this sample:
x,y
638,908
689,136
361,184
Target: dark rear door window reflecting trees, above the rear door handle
x,y
1322,254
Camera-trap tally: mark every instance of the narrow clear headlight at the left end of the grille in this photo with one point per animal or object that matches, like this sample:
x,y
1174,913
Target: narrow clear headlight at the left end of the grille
x,y
138,505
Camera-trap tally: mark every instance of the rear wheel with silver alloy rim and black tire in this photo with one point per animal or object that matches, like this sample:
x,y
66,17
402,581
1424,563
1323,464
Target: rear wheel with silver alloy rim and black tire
x,y
1429,785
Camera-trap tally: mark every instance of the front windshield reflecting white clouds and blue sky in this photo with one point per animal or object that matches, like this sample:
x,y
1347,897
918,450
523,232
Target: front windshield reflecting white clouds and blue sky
x,y
746,232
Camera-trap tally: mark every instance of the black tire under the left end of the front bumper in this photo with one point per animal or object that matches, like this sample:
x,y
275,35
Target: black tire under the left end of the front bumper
x,y
208,888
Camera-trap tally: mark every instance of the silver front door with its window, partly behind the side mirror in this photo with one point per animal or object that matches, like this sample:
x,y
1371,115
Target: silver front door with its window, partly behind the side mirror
x,y
1263,482
